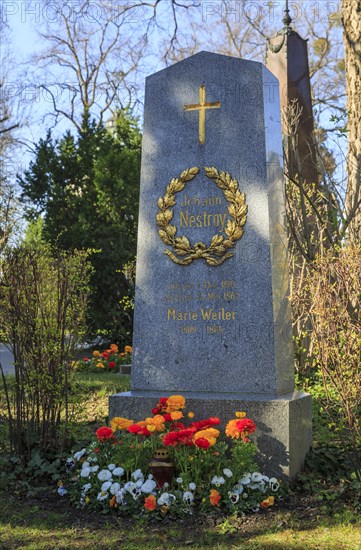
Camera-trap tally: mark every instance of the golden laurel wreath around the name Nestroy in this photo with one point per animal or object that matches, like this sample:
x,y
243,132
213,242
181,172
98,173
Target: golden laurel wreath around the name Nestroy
x,y
219,249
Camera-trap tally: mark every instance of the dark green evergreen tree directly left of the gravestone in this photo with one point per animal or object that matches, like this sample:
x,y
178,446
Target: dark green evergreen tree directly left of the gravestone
x,y
86,189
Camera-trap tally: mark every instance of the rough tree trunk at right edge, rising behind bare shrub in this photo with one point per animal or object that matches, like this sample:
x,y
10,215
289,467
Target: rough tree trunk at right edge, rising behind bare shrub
x,y
351,15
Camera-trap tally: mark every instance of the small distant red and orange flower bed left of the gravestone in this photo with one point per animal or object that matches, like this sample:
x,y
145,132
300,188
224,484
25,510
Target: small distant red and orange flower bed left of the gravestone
x,y
109,360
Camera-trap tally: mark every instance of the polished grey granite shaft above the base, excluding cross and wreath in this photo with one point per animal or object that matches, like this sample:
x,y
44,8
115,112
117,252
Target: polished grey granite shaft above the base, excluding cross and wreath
x,y
247,347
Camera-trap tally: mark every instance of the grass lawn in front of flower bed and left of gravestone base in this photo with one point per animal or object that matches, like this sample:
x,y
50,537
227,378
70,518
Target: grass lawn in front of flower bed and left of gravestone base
x,y
40,519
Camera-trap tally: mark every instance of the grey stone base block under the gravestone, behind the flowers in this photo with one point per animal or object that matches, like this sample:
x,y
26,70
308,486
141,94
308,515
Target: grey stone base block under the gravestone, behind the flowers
x,y
284,423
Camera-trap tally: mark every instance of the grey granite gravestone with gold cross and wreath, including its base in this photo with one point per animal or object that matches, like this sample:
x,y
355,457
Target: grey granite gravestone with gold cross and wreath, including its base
x,y
212,315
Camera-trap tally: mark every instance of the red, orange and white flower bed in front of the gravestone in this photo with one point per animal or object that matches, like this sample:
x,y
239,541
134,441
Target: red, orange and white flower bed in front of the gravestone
x,y
212,471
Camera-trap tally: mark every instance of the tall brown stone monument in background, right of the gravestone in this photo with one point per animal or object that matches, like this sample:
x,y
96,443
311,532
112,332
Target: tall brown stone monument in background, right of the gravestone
x,y
287,59
